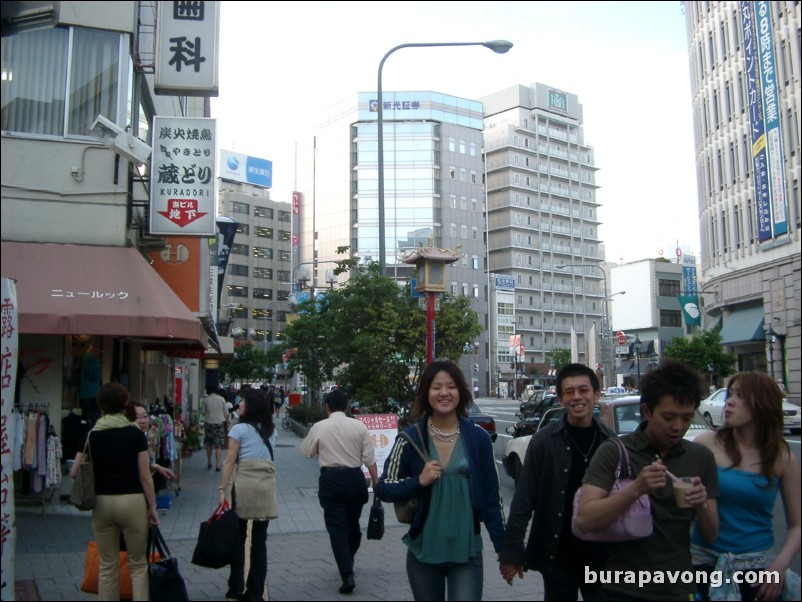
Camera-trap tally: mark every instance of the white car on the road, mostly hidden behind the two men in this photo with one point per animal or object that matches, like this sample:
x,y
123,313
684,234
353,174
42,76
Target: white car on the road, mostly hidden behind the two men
x,y
621,415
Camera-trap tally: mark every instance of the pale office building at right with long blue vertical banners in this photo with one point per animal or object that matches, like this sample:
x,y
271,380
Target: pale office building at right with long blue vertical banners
x,y
744,61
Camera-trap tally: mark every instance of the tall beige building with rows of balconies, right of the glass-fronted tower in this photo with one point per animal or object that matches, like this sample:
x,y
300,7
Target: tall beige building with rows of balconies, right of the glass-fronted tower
x,y
542,213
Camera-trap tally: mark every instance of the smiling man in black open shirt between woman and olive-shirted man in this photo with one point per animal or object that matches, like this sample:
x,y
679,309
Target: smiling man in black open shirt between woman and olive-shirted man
x,y
555,463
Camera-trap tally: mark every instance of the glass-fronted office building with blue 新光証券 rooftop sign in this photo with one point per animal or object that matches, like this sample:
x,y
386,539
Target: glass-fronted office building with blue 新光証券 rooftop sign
x,y
433,193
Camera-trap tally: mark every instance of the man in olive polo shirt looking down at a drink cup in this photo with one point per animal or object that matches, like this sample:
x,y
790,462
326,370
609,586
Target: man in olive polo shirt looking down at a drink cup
x,y
670,396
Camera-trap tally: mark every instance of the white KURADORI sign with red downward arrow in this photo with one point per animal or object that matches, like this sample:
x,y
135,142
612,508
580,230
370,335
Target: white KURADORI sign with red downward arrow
x,y
182,177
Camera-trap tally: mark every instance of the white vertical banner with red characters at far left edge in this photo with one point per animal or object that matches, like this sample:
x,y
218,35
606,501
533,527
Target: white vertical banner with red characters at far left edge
x,y
8,344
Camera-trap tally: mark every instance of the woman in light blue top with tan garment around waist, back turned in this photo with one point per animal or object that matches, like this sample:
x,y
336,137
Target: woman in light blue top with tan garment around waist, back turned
x,y
251,440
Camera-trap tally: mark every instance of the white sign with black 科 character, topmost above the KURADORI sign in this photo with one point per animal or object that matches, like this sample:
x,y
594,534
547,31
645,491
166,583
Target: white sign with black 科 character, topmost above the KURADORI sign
x,y
187,47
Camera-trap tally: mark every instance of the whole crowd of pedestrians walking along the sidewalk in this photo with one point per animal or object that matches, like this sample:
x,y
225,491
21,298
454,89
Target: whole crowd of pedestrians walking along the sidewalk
x,y
601,507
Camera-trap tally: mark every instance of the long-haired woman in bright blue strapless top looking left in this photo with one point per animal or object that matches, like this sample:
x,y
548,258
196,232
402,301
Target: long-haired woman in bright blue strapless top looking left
x,y
754,464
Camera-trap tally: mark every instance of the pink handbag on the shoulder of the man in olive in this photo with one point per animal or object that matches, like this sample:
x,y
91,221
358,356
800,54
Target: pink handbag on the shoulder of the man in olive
x,y
635,523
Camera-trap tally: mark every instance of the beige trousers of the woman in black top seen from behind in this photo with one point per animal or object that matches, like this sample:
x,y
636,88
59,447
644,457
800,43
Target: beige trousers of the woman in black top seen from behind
x,y
129,514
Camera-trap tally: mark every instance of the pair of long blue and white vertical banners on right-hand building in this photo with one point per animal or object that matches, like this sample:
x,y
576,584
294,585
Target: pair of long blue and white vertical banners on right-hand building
x,y
764,123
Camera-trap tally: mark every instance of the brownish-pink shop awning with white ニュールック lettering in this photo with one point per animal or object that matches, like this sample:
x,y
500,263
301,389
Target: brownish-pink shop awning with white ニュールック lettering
x,y
107,291
